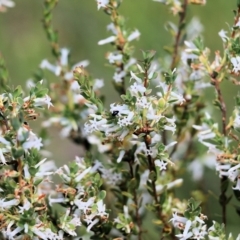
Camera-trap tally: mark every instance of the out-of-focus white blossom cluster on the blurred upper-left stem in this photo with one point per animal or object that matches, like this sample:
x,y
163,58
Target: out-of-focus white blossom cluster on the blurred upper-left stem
x,y
73,94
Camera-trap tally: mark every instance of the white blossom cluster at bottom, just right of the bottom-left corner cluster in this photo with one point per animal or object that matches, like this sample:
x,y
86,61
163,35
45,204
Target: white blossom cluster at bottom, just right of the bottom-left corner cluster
x,y
88,210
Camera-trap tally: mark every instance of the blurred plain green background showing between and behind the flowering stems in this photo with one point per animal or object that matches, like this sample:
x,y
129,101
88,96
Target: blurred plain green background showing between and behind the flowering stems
x,y
23,44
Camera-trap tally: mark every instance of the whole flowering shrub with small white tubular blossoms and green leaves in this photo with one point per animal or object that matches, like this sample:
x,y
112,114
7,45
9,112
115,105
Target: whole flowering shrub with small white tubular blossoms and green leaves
x,y
135,150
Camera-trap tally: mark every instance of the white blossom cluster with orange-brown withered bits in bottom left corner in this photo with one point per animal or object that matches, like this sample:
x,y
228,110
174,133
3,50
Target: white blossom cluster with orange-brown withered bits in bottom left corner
x,y
24,208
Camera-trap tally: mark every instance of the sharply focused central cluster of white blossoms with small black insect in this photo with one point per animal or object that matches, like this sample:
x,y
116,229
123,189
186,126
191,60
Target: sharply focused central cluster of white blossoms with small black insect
x,y
127,118
